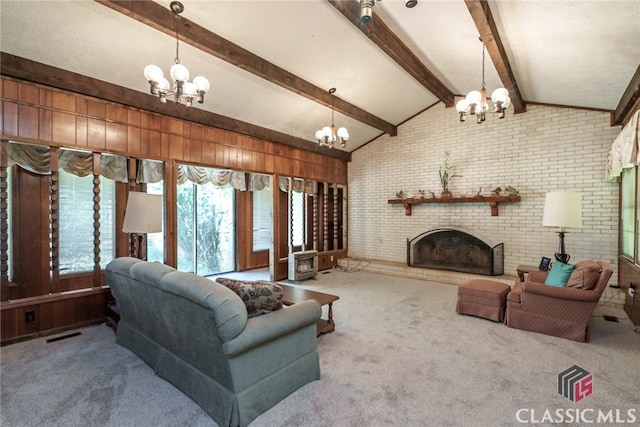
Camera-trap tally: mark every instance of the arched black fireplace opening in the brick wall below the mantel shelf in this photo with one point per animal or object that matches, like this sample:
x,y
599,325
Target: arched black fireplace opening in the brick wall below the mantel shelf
x,y
455,250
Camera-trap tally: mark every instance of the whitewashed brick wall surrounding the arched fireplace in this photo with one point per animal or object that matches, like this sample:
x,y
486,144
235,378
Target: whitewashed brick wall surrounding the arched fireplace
x,y
544,149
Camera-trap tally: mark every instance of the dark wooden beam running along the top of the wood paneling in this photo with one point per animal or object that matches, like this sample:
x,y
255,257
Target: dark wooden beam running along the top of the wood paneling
x,y
24,69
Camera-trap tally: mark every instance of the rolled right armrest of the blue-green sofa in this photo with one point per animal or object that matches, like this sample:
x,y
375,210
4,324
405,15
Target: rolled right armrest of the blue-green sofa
x,y
267,327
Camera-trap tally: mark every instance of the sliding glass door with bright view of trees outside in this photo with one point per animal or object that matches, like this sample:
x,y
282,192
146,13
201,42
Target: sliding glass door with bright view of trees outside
x,y
206,228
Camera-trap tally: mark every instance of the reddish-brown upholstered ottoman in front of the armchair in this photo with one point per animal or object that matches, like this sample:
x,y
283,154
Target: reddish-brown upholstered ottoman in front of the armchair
x,y
483,298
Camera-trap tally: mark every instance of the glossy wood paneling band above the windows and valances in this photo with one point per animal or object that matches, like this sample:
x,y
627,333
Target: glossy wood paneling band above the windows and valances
x,y
42,115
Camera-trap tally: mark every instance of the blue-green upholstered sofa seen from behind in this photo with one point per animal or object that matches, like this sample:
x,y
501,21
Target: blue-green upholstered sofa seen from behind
x,y
195,333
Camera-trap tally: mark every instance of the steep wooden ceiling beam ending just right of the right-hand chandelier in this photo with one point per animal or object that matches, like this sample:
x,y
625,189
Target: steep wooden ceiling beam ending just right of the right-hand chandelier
x,y
481,15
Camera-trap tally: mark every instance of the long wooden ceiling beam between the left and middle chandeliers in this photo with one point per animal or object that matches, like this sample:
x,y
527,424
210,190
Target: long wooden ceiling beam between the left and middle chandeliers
x,y
162,19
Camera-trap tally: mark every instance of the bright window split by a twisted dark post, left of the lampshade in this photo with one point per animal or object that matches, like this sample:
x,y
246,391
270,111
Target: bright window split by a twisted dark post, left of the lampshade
x,y
76,239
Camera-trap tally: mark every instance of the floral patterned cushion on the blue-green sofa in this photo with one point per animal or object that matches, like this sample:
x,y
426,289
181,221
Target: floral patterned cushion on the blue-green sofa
x,y
259,297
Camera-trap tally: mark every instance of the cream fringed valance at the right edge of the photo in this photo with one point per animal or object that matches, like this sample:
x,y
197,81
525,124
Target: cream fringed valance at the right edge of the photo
x,y
624,152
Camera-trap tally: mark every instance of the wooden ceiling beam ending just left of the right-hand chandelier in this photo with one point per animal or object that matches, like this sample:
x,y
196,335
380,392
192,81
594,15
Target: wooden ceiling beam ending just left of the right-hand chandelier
x,y
378,32
